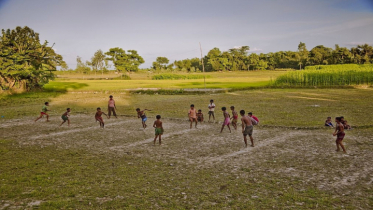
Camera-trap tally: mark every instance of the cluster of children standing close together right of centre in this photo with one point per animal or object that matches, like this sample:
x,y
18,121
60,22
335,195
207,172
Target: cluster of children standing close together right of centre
x,y
247,121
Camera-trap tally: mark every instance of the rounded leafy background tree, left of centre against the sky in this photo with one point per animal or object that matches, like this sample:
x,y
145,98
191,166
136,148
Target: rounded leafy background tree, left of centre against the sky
x,y
124,62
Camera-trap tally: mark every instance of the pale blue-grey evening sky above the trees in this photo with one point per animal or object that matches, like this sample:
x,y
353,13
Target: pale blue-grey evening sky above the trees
x,y
174,28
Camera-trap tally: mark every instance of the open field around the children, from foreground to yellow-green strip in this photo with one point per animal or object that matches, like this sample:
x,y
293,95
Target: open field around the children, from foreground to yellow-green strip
x,y
293,166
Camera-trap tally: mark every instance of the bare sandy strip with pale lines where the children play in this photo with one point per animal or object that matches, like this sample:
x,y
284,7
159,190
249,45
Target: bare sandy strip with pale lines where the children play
x,y
306,154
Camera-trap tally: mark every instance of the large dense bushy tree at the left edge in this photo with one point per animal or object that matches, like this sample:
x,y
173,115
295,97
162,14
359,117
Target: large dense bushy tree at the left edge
x,y
25,63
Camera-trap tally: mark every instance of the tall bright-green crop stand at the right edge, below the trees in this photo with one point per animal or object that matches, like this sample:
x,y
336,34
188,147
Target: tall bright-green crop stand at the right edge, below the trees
x,y
336,75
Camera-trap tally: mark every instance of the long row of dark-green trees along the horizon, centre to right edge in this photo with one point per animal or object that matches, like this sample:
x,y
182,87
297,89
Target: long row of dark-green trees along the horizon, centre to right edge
x,y
236,59
